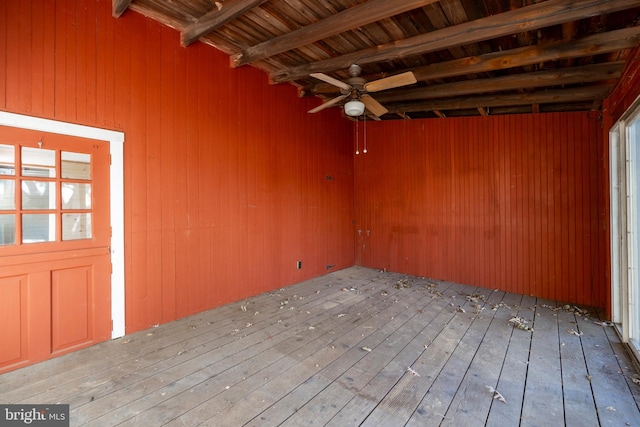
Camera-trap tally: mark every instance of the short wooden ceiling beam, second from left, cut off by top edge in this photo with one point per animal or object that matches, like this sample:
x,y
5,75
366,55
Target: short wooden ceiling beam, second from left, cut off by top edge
x,y
216,18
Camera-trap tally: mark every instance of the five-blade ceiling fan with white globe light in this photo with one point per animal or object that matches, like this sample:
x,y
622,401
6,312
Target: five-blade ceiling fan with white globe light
x,y
357,89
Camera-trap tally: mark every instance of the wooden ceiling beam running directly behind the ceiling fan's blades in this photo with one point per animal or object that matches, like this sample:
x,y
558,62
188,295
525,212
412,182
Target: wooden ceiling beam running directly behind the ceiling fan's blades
x,y
612,41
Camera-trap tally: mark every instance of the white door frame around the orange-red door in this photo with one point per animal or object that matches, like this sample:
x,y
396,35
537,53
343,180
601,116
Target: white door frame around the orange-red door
x,y
116,177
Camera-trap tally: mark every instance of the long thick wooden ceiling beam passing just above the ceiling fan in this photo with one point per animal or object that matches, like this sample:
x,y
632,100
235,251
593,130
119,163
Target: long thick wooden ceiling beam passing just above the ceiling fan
x,y
547,13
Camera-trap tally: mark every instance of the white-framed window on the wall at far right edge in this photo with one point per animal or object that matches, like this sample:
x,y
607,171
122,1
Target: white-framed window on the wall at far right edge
x,y
625,226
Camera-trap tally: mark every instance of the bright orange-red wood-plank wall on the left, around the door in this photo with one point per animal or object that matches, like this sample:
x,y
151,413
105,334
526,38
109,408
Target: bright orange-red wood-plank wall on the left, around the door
x,y
225,176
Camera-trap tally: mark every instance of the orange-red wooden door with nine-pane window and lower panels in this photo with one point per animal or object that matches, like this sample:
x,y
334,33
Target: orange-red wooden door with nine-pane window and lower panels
x,y
55,268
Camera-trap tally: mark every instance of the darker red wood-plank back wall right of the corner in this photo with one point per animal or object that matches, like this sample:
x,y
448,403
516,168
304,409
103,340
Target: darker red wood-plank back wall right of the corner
x,y
508,202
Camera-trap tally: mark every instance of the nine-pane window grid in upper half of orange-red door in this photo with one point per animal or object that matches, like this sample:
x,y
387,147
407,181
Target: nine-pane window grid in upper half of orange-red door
x,y
45,195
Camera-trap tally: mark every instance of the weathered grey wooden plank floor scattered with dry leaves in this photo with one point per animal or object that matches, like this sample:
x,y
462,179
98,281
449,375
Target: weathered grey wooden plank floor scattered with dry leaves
x,y
356,347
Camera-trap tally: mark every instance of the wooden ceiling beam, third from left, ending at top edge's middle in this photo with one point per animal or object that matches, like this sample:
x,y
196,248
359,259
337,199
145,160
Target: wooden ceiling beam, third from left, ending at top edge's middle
x,y
354,17
